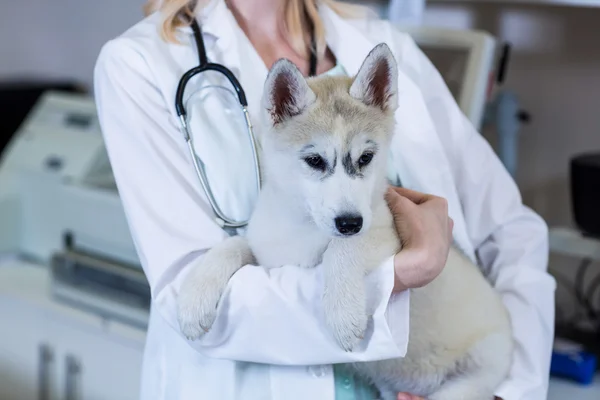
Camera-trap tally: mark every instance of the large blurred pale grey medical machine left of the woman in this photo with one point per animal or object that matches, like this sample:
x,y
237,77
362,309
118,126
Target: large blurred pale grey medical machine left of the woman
x,y
59,206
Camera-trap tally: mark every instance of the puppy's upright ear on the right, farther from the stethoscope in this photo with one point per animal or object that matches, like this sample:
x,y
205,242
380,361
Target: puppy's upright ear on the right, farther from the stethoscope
x,y
376,83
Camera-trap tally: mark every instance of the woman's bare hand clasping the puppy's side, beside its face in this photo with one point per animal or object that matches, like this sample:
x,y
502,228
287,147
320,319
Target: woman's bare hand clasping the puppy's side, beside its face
x,y
425,229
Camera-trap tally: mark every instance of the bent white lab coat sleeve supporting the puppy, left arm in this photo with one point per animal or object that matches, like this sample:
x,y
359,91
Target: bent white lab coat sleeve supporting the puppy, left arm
x,y
266,316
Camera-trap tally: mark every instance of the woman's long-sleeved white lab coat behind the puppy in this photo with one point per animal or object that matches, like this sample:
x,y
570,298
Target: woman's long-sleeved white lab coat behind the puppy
x,y
273,316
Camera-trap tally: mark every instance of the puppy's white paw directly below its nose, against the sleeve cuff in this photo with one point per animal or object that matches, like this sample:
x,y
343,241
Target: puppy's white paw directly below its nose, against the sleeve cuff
x,y
347,320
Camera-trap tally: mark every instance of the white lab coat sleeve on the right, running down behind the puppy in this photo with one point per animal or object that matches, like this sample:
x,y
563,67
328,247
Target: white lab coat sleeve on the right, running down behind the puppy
x,y
511,241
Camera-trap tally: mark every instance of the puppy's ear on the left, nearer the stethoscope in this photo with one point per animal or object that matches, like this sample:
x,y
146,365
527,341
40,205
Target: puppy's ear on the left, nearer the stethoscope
x,y
286,92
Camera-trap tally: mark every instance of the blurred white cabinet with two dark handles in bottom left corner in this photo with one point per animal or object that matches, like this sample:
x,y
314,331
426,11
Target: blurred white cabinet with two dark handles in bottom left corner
x,y
53,353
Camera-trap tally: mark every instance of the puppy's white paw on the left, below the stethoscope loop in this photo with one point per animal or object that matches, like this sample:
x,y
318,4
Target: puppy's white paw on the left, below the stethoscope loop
x,y
197,303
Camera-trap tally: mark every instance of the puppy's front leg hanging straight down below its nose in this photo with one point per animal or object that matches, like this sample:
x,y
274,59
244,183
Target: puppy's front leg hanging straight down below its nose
x,y
344,299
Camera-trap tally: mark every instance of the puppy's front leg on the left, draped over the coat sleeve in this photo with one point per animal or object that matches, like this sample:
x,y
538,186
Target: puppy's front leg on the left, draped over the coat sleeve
x,y
202,289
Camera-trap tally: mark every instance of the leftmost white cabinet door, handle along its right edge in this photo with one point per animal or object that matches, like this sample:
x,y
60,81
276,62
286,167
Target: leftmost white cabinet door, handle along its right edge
x,y
28,359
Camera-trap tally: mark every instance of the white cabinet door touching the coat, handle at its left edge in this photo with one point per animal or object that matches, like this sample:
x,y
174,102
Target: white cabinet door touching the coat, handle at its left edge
x,y
98,366
